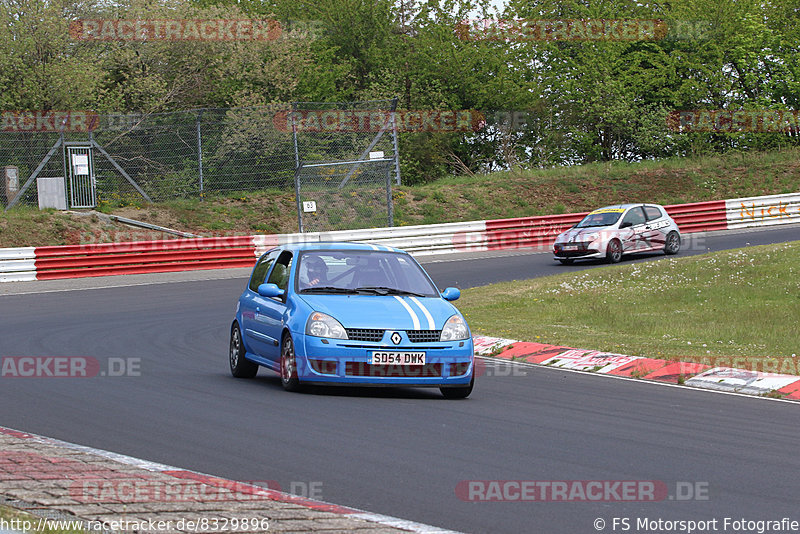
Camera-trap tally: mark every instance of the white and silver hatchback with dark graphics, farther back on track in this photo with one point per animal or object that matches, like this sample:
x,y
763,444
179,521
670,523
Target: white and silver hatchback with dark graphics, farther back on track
x,y
612,231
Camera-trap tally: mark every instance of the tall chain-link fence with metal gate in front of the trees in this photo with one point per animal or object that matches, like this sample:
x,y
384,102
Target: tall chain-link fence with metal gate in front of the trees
x,y
202,153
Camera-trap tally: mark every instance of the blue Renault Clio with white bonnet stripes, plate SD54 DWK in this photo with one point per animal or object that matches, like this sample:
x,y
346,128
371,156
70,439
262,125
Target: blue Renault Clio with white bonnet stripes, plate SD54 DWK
x,y
350,314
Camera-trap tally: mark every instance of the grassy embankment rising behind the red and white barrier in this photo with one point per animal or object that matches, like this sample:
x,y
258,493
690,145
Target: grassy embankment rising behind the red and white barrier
x,y
515,193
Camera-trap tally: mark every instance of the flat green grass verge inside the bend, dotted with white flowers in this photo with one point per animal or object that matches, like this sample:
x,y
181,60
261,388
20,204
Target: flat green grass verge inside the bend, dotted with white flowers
x,y
743,302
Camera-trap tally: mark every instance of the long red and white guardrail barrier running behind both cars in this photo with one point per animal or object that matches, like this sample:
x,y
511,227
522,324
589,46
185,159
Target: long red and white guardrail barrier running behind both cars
x,y
75,261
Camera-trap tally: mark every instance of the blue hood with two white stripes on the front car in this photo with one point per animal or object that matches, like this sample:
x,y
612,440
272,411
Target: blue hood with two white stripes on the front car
x,y
383,311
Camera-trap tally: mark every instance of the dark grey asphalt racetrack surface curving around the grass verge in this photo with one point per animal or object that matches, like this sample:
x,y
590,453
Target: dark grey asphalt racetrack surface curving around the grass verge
x,y
400,452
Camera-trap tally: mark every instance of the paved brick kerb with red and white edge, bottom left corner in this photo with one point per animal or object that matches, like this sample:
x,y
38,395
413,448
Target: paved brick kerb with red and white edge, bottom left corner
x,y
63,481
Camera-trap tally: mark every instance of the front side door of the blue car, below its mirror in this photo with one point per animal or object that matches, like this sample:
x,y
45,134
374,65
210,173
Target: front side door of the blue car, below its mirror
x,y
269,312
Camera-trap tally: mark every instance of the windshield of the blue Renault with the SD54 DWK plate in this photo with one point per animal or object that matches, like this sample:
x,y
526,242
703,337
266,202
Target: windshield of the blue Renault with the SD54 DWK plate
x,y
362,272
